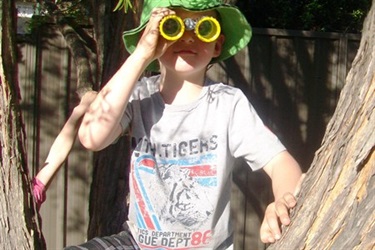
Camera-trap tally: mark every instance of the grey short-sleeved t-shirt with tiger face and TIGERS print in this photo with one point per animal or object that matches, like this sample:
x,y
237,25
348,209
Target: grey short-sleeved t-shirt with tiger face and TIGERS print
x,y
182,162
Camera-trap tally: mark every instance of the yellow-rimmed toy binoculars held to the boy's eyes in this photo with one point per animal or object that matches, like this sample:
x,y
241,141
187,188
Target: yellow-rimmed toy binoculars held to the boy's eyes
x,y
207,29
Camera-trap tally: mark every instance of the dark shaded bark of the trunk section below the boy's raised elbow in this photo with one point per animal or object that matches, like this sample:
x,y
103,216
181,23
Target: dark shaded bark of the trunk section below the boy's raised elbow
x,y
109,189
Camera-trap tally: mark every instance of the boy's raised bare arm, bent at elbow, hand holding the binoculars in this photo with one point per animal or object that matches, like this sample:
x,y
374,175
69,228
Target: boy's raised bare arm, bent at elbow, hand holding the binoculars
x,y
101,123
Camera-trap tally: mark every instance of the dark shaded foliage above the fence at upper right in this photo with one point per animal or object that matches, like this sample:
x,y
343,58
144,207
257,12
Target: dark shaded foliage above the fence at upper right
x,y
315,15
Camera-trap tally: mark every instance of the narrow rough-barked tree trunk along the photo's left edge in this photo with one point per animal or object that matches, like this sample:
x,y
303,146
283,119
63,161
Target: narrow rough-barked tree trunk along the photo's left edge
x,y
19,222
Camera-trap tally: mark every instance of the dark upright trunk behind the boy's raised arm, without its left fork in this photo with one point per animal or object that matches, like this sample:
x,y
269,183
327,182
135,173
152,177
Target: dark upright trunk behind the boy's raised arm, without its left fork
x,y
109,187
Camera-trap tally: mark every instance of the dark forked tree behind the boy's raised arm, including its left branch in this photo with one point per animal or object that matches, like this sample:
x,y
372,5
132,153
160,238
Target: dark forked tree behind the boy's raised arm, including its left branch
x,y
96,61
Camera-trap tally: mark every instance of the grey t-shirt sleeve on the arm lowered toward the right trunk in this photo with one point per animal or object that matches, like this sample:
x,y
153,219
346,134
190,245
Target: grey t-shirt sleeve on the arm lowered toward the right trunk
x,y
249,138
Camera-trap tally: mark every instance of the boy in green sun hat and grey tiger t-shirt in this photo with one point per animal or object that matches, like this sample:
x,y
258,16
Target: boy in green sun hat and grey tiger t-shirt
x,y
186,132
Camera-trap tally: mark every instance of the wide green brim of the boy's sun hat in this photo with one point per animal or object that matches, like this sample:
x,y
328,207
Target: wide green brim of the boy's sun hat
x,y
236,29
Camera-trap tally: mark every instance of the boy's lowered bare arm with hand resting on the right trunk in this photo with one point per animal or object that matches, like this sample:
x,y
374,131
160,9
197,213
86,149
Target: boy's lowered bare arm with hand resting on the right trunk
x,y
285,174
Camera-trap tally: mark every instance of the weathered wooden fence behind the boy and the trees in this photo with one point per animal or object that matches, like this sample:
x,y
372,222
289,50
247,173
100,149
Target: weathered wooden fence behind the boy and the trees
x,y
293,78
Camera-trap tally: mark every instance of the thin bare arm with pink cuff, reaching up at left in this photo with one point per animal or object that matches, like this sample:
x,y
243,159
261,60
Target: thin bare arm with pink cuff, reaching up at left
x,y
60,149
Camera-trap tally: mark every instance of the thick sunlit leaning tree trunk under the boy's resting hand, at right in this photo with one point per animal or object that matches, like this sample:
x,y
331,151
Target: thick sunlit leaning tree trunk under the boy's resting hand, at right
x,y
336,205
